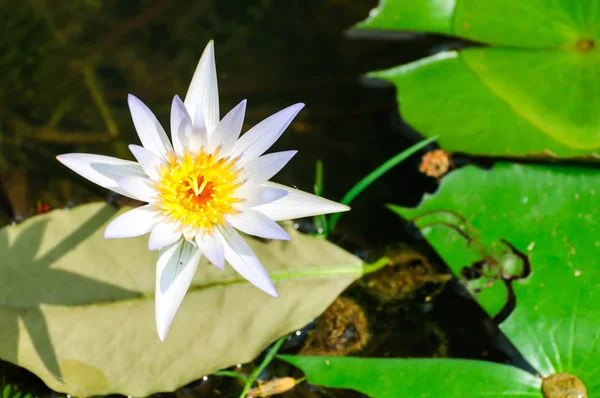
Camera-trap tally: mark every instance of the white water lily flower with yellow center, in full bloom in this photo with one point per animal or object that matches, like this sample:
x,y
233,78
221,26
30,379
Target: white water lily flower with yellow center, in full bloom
x,y
201,187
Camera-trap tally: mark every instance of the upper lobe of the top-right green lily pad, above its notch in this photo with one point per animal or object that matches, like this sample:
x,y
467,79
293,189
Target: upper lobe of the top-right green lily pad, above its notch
x,y
533,24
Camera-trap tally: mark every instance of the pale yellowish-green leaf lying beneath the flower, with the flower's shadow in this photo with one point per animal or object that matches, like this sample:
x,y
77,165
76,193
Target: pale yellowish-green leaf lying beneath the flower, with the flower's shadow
x,y
78,310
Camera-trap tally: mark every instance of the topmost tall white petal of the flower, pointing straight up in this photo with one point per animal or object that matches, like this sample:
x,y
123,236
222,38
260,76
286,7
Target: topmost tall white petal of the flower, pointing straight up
x,y
203,94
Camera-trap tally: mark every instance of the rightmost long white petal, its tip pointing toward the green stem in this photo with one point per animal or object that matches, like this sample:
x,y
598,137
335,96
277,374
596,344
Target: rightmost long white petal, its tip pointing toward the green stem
x,y
297,204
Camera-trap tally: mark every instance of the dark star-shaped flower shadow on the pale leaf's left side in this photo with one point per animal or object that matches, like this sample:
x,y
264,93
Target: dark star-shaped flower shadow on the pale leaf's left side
x,y
28,282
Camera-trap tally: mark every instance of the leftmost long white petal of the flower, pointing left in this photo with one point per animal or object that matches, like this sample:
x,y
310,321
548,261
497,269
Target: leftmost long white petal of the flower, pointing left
x,y
102,170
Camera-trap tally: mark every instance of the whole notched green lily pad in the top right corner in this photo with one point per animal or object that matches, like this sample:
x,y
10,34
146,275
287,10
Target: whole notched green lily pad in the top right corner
x,y
534,93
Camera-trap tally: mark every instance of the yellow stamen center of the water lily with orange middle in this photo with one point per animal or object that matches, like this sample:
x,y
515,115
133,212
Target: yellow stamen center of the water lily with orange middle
x,y
197,190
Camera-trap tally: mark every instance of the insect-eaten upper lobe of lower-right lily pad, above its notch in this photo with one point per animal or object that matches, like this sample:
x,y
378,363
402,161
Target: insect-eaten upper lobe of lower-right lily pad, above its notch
x,y
550,215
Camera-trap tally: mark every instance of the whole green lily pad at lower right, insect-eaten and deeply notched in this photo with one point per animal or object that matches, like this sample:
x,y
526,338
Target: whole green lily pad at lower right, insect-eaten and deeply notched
x,y
549,213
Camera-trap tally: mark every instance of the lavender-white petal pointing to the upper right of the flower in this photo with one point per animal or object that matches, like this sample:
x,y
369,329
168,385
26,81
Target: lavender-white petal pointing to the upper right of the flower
x,y
260,137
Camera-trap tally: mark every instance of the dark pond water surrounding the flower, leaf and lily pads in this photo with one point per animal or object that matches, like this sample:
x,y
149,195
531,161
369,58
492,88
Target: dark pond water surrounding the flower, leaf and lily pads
x,y
70,65
